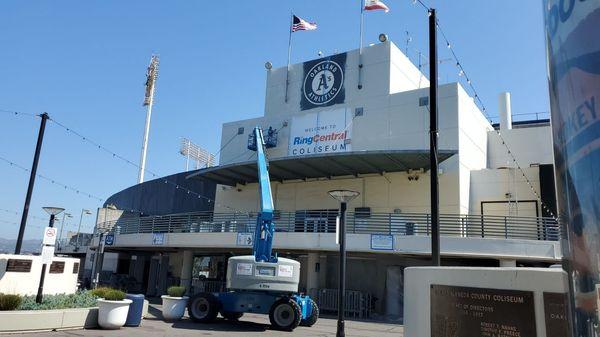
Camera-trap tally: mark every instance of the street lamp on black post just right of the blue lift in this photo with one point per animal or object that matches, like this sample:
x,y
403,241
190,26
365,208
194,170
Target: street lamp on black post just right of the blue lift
x,y
343,196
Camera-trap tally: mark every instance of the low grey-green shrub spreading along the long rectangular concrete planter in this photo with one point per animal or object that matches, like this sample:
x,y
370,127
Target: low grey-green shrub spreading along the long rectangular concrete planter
x,y
81,299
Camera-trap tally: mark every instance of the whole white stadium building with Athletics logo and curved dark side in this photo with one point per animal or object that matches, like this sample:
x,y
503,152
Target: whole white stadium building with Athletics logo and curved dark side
x,y
330,135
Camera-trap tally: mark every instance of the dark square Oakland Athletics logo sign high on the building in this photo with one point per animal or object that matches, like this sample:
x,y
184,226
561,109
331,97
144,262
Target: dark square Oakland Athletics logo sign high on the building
x,y
323,82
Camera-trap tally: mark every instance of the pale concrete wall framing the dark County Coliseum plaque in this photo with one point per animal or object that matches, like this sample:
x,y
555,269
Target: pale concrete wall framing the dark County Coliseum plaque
x,y
419,280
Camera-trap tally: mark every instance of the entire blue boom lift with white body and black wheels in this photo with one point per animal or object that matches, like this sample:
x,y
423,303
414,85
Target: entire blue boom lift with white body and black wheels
x,y
260,283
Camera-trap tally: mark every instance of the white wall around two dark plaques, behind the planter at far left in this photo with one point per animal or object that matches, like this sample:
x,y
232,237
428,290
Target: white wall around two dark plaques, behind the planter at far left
x,y
26,283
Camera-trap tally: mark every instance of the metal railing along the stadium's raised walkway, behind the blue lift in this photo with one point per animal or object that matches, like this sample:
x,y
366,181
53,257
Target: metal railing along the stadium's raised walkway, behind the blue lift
x,y
407,224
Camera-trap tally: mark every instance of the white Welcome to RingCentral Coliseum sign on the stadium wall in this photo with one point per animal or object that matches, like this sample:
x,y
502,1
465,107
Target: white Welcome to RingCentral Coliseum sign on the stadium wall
x,y
320,132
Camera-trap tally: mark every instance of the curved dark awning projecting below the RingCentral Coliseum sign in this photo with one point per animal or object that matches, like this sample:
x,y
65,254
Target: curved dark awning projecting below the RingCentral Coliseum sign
x,y
323,166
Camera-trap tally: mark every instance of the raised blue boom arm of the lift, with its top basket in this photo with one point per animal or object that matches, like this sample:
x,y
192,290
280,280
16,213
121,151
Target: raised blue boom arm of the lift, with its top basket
x,y
265,228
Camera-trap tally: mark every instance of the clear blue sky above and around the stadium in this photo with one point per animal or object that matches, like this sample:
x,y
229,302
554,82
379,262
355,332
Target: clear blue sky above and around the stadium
x,y
84,63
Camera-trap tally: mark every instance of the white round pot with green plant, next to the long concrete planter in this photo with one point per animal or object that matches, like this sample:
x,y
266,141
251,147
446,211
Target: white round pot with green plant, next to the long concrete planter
x,y
112,308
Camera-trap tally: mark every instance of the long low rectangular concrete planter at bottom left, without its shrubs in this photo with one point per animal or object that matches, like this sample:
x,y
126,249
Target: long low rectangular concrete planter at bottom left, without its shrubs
x,y
35,320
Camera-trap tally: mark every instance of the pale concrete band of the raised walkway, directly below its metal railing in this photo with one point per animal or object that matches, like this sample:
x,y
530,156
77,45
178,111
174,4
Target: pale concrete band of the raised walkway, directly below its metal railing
x,y
513,249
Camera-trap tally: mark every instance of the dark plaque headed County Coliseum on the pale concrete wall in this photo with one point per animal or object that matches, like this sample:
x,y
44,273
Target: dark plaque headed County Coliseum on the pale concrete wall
x,y
481,312
